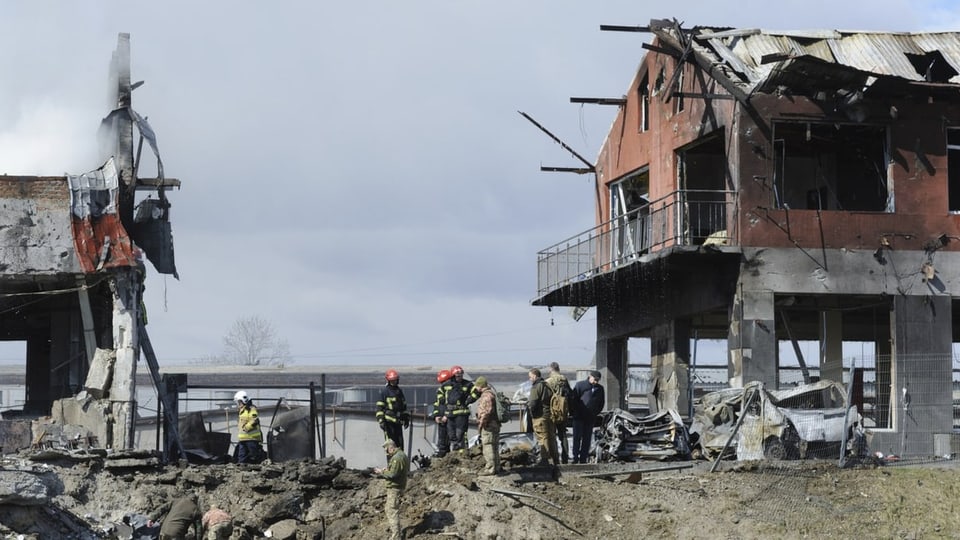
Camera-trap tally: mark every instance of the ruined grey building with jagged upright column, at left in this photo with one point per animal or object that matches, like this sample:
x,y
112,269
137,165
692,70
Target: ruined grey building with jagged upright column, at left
x,y
72,272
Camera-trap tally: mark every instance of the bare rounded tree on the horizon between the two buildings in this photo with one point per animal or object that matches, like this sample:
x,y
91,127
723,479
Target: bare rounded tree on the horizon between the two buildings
x,y
252,341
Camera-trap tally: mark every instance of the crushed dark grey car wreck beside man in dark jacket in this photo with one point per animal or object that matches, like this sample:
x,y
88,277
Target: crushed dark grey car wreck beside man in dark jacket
x,y
623,436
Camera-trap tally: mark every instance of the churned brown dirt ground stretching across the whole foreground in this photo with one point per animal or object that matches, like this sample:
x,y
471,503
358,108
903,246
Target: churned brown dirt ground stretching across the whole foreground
x,y
88,496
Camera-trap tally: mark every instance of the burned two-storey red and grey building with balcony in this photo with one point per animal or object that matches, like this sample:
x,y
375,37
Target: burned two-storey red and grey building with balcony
x,y
763,188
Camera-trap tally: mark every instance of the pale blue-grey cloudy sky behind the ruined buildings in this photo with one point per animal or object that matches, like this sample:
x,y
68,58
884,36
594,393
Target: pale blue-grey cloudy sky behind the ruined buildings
x,y
357,173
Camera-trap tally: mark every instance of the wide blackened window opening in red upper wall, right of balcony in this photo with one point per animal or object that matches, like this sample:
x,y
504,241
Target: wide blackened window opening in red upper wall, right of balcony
x,y
821,166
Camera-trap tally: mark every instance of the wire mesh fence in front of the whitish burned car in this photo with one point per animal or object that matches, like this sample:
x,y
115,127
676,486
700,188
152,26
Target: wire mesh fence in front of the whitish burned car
x,y
888,409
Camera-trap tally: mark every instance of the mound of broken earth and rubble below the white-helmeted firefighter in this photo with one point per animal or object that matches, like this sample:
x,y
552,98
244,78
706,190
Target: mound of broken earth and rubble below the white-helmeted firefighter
x,y
90,495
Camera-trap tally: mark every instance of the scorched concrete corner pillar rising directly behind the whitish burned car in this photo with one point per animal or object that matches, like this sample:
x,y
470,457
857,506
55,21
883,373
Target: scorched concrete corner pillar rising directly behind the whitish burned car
x,y
752,339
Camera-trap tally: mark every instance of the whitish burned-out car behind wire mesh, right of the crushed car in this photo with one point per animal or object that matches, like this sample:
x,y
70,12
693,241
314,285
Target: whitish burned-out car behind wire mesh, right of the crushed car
x,y
811,420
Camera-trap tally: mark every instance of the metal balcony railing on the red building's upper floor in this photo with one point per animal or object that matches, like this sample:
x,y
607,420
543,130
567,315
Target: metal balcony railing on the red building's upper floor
x,y
682,218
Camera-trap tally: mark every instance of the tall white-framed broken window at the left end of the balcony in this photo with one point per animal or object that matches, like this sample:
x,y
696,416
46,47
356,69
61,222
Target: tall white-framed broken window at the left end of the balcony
x,y
630,216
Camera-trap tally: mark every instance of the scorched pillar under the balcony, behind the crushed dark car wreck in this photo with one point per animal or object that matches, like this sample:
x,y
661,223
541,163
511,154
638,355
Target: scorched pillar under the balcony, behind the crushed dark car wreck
x,y
670,364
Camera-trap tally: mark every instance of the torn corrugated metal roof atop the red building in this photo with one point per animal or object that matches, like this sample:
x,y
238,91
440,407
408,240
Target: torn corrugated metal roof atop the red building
x,y
757,60
